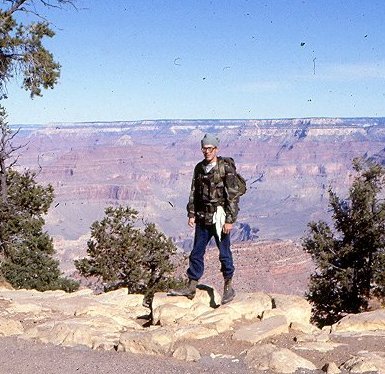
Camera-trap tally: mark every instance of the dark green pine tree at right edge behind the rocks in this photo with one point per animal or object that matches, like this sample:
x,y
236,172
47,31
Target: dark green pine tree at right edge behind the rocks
x,y
350,260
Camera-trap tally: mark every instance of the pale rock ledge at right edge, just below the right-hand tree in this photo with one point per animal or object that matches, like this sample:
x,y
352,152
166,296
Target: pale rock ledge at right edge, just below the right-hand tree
x,y
367,321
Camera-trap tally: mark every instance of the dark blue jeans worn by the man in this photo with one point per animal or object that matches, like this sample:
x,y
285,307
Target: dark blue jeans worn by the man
x,y
203,234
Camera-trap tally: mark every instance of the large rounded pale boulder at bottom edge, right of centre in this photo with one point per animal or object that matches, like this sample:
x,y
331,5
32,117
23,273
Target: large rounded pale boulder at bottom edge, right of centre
x,y
279,360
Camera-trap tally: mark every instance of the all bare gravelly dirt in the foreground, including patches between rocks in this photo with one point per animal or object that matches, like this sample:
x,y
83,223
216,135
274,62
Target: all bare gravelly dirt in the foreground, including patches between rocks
x,y
219,355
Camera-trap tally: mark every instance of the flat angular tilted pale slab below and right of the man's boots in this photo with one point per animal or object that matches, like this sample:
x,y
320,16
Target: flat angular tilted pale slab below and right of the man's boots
x,y
258,331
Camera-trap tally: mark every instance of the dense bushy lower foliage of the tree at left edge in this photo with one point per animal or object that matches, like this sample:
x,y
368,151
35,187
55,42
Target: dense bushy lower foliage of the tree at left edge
x,y
26,250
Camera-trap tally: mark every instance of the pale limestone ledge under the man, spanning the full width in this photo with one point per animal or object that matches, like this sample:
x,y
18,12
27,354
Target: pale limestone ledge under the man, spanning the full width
x,y
273,330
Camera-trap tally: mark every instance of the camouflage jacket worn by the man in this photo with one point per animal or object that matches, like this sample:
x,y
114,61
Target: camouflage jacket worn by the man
x,y
208,190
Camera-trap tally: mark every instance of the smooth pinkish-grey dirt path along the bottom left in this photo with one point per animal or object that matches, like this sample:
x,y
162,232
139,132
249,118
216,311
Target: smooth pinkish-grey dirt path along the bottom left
x,y
25,357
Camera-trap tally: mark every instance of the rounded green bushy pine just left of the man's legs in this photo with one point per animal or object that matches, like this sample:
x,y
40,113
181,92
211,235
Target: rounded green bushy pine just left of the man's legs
x,y
123,255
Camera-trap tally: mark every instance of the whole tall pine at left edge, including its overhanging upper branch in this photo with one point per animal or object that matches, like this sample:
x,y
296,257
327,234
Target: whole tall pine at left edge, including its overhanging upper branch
x,y
25,251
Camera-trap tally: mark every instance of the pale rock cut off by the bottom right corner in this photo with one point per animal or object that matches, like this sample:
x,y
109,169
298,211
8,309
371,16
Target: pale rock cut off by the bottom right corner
x,y
366,361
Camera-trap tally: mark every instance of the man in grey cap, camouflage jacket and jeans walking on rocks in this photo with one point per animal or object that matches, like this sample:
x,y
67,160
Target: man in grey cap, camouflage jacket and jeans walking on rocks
x,y
212,209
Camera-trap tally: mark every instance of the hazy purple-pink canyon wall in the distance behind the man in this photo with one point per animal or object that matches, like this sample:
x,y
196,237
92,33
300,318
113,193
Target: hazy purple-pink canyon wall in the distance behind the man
x,y
289,164
